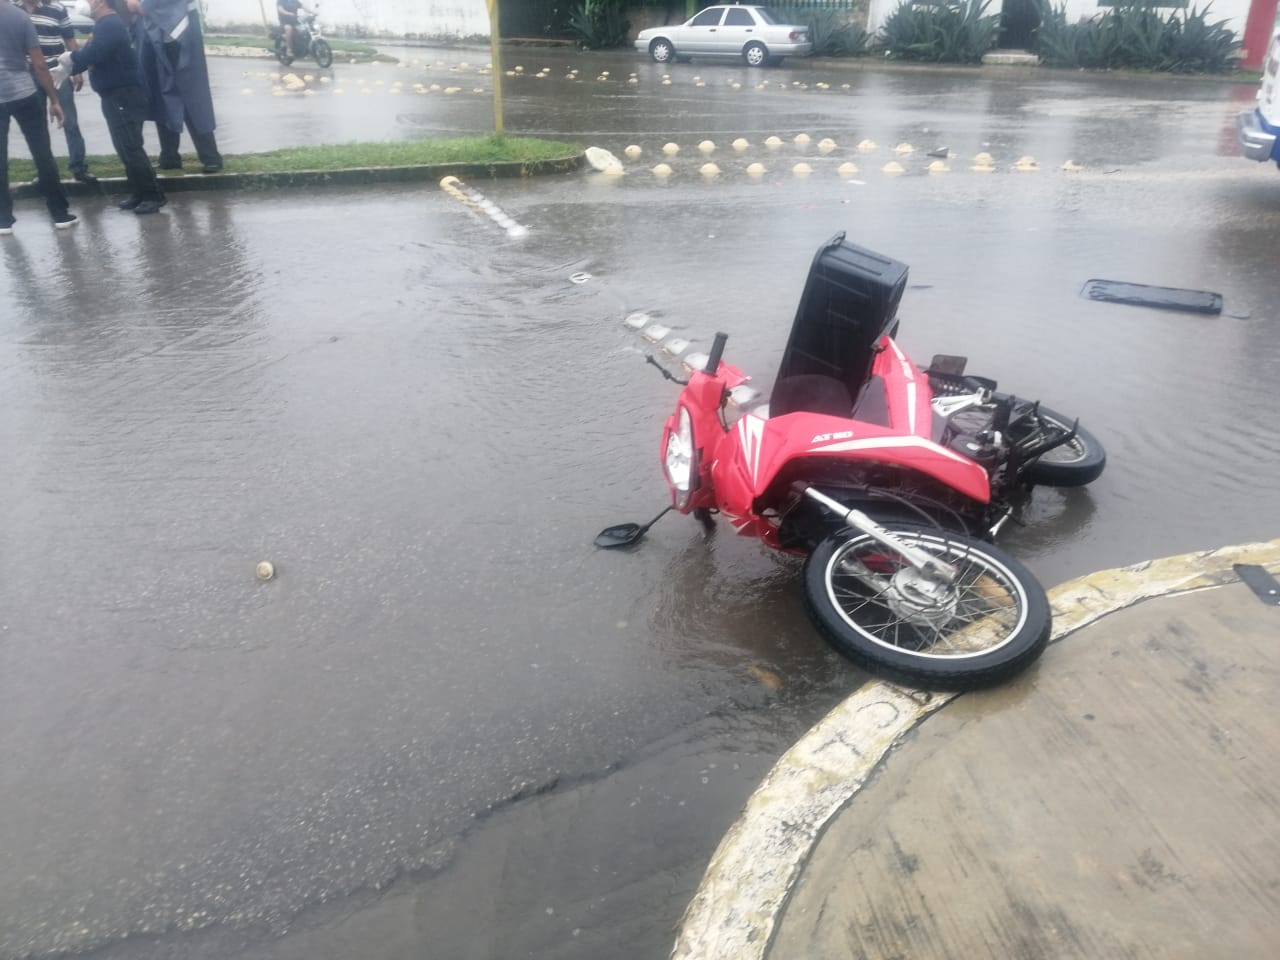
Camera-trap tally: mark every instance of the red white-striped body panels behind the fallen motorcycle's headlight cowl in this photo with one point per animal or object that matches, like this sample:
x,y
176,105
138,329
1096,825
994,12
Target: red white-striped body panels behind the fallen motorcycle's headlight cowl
x,y
755,452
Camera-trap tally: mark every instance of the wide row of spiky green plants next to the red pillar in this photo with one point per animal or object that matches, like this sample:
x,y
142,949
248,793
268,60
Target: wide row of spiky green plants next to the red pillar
x,y
1135,36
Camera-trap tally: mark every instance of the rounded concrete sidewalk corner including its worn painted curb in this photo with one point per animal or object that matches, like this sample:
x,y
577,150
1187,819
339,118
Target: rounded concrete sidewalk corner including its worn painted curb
x,y
1121,799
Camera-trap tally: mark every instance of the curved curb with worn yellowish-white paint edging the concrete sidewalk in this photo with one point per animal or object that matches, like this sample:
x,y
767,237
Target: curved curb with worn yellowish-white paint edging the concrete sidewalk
x,y
740,899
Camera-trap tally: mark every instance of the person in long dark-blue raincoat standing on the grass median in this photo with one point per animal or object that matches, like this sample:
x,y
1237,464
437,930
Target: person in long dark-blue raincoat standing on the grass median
x,y
172,49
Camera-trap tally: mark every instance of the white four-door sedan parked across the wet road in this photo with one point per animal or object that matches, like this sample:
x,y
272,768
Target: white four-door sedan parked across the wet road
x,y
756,34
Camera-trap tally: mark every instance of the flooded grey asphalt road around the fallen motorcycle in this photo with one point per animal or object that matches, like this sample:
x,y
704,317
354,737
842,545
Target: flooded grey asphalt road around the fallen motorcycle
x,y
450,728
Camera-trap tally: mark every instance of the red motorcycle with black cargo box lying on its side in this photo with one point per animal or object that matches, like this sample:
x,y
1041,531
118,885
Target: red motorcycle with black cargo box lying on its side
x,y
892,481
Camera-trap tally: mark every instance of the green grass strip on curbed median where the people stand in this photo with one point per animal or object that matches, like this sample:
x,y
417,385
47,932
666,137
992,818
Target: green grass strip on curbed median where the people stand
x,y
354,156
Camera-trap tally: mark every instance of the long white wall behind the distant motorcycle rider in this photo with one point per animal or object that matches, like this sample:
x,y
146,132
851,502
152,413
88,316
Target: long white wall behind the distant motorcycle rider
x,y
392,19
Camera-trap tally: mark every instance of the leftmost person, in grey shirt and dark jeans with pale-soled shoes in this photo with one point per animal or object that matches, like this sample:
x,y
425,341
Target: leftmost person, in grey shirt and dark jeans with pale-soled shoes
x,y
21,100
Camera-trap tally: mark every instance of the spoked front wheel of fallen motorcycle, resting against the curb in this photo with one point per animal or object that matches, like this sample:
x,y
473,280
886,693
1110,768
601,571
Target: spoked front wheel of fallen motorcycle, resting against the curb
x,y
988,627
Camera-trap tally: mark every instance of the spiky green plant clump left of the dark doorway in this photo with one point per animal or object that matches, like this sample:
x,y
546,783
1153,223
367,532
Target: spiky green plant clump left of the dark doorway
x,y
950,33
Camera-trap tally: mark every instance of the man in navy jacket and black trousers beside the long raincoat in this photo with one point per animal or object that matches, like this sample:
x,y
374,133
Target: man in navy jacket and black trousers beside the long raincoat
x,y
116,76
